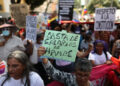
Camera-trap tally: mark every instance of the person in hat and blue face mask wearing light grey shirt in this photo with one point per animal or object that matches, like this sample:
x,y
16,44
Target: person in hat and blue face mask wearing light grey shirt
x,y
8,41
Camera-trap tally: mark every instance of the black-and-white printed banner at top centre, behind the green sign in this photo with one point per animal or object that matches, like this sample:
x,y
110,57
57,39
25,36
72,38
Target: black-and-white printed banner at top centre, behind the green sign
x,y
65,10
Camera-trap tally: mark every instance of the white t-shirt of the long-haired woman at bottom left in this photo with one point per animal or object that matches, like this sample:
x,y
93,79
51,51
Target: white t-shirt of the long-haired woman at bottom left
x,y
35,80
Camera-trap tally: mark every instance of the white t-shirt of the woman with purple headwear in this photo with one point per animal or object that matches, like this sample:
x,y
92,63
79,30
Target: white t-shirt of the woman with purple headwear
x,y
99,59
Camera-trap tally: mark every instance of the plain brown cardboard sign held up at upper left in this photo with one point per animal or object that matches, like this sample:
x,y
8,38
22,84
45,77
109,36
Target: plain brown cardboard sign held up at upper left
x,y
19,13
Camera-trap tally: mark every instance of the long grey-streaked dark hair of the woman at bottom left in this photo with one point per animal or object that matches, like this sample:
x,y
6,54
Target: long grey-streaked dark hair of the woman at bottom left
x,y
23,59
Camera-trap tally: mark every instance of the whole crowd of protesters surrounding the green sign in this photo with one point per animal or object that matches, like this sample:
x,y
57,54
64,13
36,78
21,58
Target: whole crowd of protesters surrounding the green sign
x,y
21,65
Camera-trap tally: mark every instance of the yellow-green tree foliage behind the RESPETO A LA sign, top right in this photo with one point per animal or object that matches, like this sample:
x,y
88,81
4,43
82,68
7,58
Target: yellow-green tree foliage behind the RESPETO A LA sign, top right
x,y
102,3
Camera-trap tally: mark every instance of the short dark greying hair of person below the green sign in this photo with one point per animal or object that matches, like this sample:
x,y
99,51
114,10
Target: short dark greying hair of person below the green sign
x,y
83,64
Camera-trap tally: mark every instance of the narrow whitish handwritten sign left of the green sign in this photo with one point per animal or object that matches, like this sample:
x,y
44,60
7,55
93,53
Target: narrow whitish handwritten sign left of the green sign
x,y
31,28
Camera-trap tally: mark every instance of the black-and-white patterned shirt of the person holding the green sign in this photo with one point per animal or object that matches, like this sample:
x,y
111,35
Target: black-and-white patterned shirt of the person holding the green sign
x,y
68,79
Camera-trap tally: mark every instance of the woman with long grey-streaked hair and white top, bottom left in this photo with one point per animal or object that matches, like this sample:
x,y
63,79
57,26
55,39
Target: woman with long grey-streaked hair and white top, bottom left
x,y
20,72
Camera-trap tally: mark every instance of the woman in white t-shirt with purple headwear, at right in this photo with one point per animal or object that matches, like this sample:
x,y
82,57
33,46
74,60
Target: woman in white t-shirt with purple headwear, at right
x,y
100,54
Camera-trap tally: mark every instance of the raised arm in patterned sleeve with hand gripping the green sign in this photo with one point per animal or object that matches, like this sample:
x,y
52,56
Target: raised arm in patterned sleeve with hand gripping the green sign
x,y
54,73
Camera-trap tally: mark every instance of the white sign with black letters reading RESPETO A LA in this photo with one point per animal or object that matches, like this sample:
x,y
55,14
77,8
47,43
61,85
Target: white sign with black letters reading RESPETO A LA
x,y
104,19
